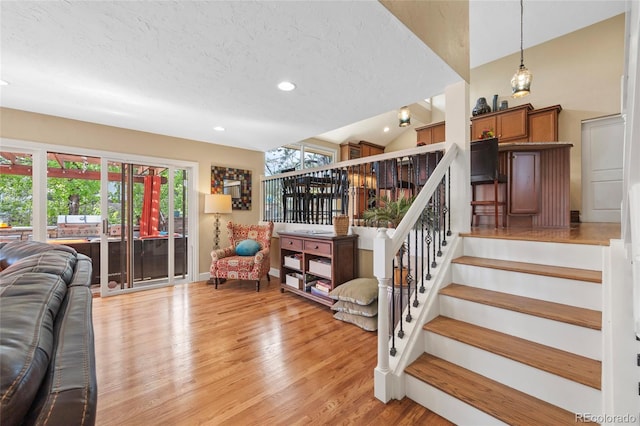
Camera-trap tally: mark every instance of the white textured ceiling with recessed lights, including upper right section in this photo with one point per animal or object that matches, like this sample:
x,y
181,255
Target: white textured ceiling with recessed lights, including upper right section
x,y
182,68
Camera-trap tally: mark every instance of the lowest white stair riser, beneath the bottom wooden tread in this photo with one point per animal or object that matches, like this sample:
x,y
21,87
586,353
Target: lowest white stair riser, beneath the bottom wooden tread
x,y
446,405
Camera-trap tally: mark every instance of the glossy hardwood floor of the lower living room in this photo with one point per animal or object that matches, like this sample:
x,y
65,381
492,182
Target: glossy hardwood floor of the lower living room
x,y
193,355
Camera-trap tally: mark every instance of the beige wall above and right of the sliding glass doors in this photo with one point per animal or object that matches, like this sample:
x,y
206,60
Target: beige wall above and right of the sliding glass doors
x,y
15,124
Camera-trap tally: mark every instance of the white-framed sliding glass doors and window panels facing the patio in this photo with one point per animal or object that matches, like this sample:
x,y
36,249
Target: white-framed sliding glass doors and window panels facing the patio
x,y
129,214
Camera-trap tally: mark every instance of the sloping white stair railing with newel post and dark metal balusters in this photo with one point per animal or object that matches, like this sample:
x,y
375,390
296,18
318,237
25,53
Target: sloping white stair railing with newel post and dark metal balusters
x,y
422,232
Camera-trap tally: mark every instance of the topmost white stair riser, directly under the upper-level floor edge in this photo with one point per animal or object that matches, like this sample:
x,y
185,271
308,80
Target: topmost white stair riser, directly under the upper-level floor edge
x,y
581,256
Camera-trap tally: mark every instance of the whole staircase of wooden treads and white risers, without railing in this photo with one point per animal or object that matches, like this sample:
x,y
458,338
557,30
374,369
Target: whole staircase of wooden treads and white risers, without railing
x,y
518,336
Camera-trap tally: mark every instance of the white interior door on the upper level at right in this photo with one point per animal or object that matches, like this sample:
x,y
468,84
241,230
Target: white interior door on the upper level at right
x,y
602,148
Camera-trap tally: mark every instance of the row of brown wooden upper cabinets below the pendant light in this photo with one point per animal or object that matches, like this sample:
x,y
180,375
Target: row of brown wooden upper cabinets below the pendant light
x,y
519,124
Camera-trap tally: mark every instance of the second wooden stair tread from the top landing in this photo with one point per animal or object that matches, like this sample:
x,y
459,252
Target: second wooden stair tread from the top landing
x,y
582,317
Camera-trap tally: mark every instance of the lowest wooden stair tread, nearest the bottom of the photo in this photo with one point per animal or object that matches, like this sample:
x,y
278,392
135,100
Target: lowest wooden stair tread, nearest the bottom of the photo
x,y
502,402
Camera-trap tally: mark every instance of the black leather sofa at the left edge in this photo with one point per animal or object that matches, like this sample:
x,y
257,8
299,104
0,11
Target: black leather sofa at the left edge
x,y
47,356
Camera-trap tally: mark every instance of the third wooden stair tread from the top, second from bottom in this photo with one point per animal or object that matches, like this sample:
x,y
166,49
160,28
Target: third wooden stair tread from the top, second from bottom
x,y
574,367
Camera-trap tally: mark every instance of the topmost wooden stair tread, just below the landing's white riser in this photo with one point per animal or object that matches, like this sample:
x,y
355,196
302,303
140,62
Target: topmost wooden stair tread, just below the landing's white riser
x,y
533,268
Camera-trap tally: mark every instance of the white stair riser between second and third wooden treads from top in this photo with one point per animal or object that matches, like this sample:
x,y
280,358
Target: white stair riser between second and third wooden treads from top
x,y
567,337
